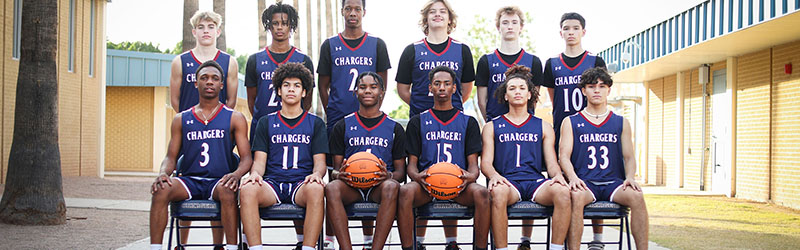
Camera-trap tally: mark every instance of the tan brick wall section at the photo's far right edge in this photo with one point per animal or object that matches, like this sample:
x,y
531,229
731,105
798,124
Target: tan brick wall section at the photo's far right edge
x,y
786,126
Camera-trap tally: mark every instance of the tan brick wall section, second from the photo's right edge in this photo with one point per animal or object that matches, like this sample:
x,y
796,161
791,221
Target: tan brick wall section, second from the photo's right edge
x,y
753,126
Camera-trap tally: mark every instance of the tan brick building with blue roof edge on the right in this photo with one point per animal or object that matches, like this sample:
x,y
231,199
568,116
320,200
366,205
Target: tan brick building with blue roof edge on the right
x,y
721,106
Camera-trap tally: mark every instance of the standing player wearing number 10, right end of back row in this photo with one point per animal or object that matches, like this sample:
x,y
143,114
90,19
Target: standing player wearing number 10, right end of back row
x,y
562,75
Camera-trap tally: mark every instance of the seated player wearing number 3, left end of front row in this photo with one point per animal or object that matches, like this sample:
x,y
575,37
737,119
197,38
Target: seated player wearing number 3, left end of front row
x,y
205,134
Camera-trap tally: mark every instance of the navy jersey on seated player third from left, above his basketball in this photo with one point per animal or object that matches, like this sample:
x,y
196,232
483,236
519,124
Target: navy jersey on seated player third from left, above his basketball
x,y
377,140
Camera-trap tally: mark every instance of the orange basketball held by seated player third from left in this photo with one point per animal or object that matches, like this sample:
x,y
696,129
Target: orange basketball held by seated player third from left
x,y
362,167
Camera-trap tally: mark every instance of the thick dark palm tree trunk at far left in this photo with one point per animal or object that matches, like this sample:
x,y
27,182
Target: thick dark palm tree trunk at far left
x,y
33,193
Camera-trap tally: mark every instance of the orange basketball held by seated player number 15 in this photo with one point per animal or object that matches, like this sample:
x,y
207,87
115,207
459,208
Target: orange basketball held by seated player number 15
x,y
444,180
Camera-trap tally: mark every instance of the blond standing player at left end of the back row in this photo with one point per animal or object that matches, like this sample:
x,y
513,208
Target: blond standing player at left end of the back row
x,y
206,27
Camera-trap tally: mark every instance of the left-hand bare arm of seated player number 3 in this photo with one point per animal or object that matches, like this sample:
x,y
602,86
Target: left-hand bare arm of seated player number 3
x,y
170,160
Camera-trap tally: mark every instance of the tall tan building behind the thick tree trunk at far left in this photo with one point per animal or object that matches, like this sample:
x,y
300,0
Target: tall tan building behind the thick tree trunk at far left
x,y
81,67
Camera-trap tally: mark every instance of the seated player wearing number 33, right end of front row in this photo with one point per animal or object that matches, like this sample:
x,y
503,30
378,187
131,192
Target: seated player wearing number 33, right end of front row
x,y
598,158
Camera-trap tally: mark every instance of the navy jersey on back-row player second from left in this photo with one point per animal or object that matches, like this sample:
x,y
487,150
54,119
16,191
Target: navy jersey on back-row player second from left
x,y
267,101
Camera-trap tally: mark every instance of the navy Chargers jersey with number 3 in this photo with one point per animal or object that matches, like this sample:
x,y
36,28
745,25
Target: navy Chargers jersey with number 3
x,y
207,148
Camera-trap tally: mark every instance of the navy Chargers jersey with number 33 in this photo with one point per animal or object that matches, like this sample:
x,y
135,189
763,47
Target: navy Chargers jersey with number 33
x,y
597,149
